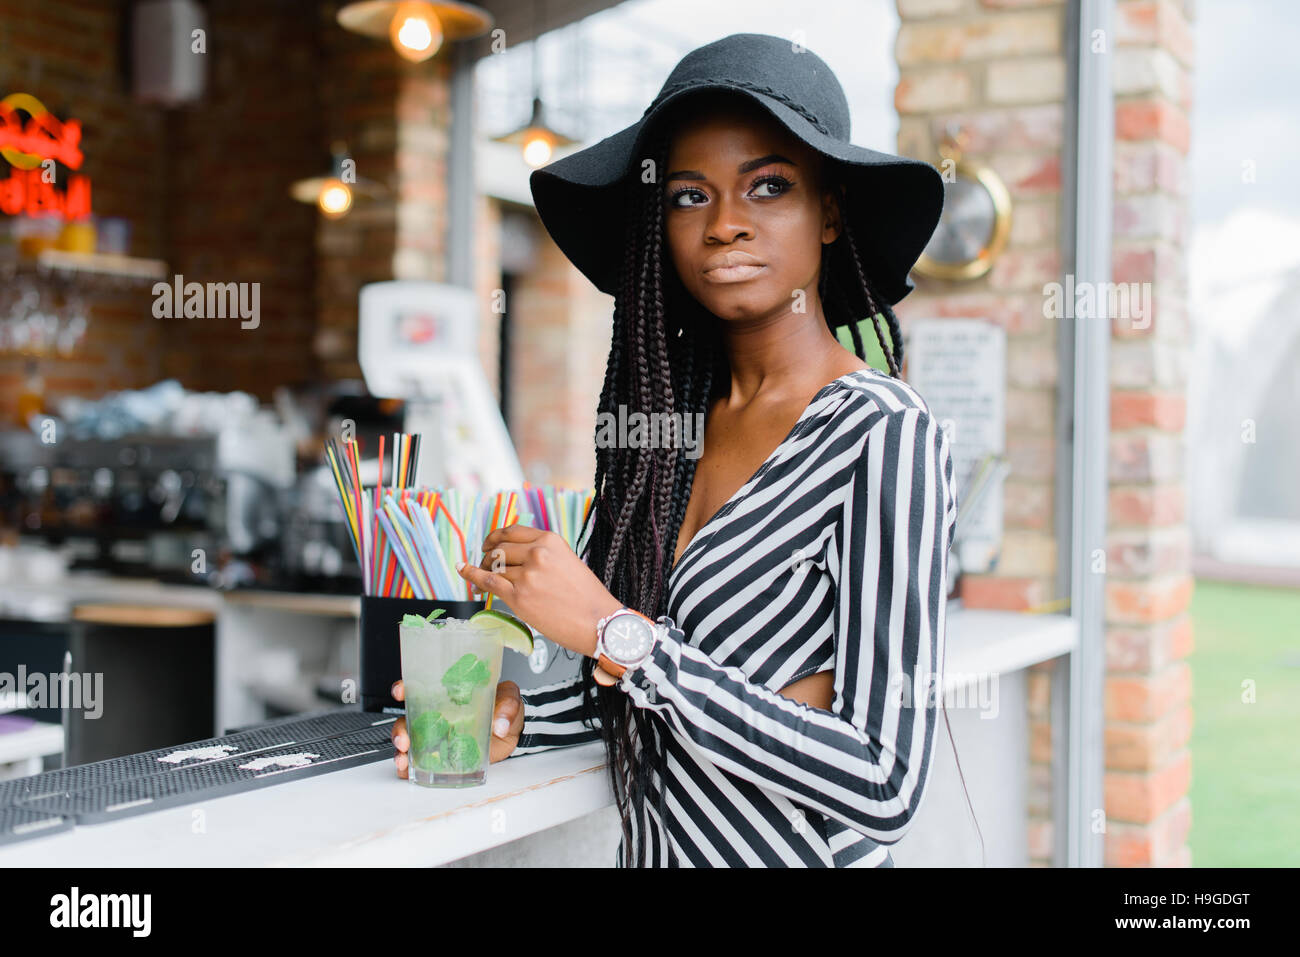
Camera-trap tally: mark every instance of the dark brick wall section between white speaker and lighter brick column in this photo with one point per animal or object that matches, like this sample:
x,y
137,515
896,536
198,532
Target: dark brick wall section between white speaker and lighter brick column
x,y
228,216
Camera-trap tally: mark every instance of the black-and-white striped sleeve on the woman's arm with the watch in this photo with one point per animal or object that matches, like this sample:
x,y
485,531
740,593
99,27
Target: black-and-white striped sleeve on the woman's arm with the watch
x,y
866,761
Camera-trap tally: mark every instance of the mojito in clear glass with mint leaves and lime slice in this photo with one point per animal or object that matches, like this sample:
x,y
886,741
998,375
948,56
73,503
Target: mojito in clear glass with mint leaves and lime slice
x,y
450,670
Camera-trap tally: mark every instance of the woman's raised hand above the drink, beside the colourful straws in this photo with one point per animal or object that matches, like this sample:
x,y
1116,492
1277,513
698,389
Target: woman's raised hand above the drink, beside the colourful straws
x,y
545,584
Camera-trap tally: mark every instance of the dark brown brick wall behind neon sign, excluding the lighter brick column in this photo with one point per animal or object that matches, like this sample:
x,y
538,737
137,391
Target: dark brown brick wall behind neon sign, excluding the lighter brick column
x,y
205,189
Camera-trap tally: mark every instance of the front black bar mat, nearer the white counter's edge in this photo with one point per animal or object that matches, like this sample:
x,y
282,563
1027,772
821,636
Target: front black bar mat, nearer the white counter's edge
x,y
219,778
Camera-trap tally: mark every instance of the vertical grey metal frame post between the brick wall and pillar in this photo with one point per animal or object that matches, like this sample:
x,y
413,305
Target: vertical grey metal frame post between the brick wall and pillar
x,y
1084,432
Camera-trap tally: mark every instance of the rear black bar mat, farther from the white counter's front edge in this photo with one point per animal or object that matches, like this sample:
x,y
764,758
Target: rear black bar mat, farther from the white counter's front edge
x,y
263,738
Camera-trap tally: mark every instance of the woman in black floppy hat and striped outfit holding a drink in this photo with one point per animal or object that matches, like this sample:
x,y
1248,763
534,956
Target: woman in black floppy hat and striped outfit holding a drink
x,y
761,625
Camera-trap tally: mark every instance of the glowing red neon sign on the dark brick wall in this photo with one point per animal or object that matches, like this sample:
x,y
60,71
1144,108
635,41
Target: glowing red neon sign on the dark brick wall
x,y
27,145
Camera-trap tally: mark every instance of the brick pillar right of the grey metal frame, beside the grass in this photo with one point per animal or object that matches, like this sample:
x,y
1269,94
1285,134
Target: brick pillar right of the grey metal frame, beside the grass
x,y
1149,548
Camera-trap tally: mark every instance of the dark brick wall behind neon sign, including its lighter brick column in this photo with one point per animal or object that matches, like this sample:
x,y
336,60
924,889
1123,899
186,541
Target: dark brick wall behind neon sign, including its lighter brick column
x,y
206,189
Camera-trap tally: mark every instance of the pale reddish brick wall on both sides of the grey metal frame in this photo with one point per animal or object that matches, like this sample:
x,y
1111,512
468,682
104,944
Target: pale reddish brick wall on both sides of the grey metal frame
x,y
998,70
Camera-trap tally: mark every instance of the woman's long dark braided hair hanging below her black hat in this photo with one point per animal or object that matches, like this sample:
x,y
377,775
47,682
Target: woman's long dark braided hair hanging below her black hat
x,y
666,357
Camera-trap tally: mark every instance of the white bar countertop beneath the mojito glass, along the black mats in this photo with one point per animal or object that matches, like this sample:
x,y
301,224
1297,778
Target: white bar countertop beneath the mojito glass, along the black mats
x,y
359,817
